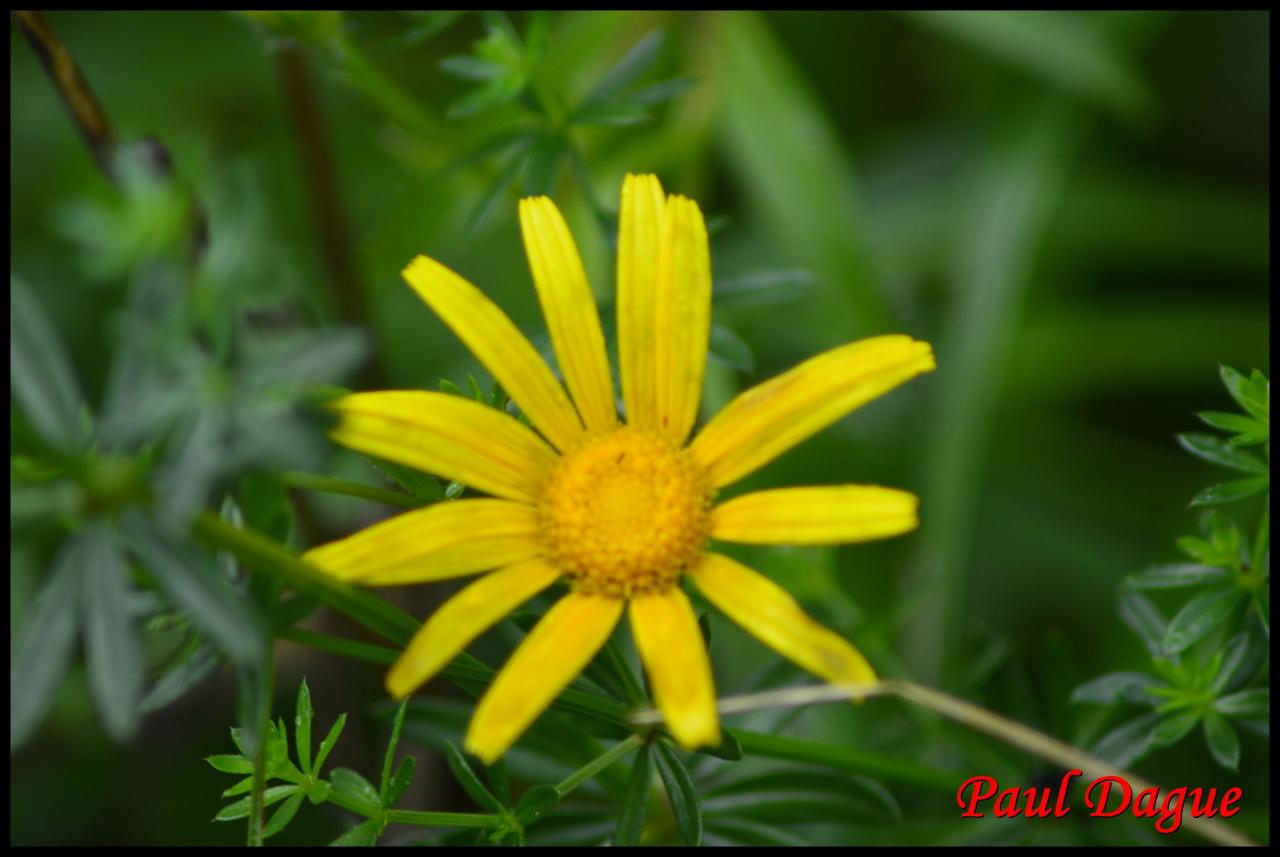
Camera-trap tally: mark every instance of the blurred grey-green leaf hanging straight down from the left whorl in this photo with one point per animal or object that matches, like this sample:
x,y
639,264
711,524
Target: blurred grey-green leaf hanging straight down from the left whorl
x,y
113,645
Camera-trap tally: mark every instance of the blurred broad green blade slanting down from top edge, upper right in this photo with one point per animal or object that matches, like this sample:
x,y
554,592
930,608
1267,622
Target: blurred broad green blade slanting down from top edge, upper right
x,y
1058,47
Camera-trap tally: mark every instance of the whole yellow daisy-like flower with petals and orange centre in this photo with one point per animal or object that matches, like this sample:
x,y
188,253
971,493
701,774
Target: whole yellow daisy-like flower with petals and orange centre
x,y
620,510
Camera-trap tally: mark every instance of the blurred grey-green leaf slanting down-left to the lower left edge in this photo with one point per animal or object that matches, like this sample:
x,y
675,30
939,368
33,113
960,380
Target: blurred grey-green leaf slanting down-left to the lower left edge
x,y
44,647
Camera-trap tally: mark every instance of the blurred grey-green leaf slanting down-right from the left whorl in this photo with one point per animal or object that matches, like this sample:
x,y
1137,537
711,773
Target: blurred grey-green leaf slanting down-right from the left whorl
x,y
193,584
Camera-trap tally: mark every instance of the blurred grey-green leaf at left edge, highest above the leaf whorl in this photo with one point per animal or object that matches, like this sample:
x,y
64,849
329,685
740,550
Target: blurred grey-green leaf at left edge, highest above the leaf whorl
x,y
40,373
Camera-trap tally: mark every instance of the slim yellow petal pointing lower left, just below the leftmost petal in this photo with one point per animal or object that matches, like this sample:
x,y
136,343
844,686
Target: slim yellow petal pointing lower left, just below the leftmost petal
x,y
464,618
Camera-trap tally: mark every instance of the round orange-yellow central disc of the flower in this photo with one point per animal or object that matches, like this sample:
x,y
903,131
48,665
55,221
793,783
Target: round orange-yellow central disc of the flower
x,y
625,514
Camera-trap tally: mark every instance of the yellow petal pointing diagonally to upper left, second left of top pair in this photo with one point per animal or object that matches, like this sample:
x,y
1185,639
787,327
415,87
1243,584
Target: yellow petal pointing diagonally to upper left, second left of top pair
x,y
500,346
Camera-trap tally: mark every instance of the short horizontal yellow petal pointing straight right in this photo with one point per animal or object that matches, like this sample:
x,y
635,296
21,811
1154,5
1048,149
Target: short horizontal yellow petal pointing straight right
x,y
816,516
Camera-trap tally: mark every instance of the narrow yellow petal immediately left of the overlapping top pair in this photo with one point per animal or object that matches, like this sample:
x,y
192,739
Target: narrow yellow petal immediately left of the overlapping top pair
x,y
570,311
